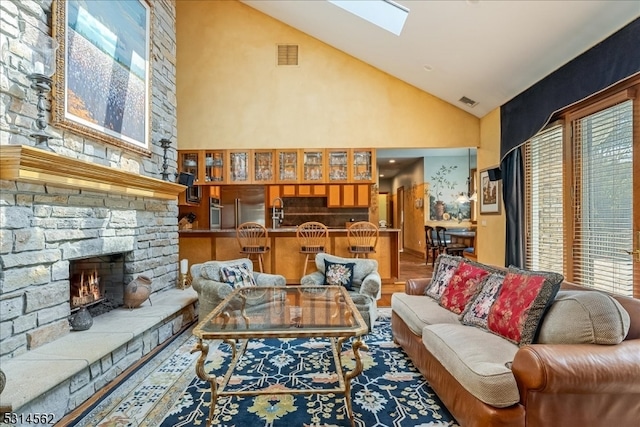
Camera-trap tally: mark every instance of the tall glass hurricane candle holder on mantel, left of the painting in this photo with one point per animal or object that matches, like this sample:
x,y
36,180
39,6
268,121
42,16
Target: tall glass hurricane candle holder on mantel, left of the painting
x,y
40,69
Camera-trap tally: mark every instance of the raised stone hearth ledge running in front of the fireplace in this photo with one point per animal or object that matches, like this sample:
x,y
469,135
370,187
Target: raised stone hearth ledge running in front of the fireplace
x,y
57,377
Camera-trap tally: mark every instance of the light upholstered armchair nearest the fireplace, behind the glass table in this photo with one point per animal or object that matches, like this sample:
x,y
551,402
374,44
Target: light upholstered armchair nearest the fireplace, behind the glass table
x,y
206,281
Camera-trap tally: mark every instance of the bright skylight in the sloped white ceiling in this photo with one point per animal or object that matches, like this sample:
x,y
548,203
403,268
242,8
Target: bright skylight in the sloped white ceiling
x,y
385,14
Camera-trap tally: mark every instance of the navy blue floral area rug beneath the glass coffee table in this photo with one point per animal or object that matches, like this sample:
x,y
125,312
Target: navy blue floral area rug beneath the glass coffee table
x,y
389,391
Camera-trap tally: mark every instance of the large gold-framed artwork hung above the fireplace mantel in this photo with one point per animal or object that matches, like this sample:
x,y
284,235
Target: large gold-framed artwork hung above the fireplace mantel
x,y
102,85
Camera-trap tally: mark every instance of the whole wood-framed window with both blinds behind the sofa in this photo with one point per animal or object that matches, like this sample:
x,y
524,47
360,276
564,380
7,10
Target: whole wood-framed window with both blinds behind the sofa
x,y
579,193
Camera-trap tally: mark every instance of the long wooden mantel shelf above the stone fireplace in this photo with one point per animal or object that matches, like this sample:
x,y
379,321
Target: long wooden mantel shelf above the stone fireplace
x,y
29,164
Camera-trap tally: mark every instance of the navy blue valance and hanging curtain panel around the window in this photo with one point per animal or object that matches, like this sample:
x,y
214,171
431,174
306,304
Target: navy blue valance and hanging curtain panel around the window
x,y
609,62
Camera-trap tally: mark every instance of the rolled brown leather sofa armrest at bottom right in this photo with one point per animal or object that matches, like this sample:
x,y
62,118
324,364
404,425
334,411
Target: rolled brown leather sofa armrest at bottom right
x,y
578,369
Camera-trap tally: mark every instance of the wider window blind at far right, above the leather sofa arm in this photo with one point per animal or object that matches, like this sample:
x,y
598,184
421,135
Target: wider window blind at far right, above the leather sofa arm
x,y
603,199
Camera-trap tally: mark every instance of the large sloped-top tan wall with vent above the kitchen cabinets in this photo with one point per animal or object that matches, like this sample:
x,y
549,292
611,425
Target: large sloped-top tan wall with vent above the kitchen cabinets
x,y
231,94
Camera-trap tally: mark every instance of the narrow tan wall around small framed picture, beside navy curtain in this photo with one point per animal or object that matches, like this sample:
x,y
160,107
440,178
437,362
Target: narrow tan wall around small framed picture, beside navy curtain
x,y
491,228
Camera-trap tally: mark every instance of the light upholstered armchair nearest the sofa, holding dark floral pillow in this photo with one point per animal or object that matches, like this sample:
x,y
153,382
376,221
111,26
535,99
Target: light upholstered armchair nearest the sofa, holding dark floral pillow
x,y
366,283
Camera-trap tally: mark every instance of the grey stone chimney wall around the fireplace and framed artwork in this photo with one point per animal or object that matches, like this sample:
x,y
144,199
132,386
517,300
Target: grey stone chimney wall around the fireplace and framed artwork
x,y
43,227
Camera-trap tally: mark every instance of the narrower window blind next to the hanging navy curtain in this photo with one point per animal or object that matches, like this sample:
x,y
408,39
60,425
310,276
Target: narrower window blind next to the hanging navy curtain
x,y
543,197
